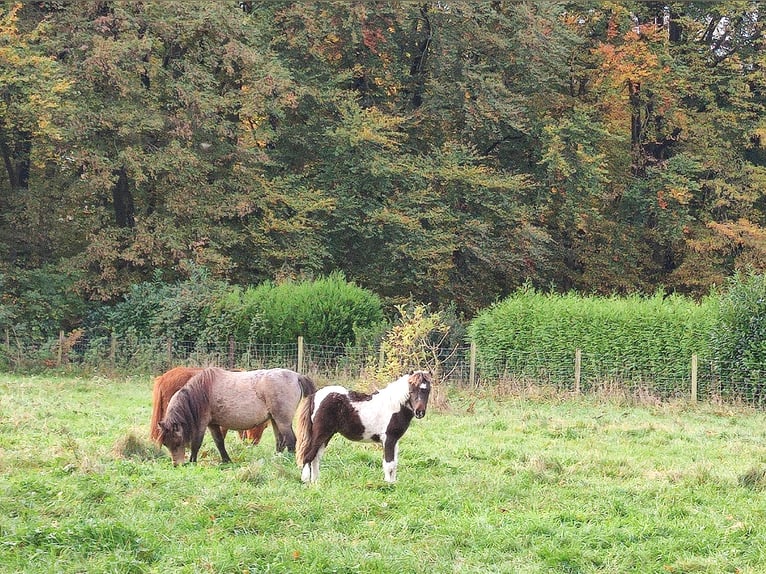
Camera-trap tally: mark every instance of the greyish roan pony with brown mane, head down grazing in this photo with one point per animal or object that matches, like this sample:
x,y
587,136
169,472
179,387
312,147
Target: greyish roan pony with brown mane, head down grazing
x,y
239,400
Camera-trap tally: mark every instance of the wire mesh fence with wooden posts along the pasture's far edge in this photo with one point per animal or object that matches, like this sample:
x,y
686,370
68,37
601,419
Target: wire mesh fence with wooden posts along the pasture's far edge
x,y
569,371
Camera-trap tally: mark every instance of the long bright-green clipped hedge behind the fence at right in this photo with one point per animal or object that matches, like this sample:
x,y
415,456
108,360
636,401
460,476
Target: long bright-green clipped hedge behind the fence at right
x,y
644,331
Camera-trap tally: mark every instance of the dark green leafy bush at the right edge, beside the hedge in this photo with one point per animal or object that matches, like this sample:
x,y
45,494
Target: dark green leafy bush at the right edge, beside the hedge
x,y
738,337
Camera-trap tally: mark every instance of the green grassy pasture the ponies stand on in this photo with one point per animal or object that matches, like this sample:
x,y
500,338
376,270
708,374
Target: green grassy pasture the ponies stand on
x,y
490,484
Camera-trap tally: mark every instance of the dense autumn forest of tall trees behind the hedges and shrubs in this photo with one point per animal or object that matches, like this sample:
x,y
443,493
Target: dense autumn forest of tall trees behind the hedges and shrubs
x,y
445,151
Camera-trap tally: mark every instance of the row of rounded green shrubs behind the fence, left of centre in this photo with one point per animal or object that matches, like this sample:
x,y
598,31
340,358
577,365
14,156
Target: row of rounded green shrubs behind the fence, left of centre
x,y
325,311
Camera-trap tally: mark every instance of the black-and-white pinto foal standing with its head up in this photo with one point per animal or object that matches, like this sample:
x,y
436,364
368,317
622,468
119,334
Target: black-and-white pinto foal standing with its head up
x,y
382,417
